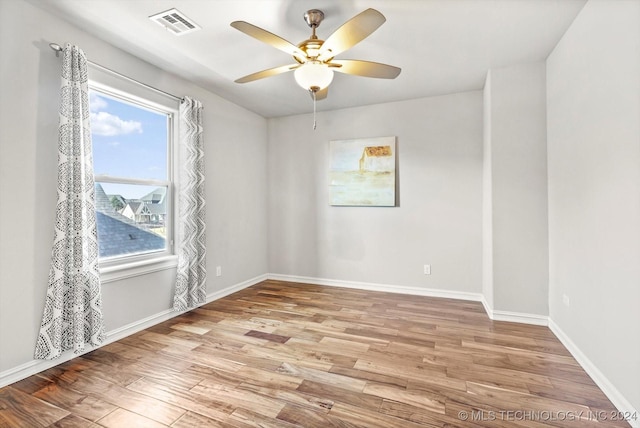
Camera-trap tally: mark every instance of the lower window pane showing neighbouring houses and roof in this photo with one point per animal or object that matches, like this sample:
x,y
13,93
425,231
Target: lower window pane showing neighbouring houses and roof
x,y
131,219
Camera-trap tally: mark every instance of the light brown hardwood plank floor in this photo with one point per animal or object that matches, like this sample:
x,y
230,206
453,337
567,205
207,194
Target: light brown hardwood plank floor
x,y
283,354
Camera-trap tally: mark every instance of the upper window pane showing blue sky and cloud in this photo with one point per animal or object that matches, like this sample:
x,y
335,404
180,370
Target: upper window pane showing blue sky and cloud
x,y
128,140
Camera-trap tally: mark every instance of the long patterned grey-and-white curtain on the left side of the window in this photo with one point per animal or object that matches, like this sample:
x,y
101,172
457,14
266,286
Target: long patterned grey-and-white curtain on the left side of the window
x,y
72,312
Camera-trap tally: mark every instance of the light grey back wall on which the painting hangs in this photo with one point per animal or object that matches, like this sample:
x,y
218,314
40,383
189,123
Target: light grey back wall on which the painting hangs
x,y
437,222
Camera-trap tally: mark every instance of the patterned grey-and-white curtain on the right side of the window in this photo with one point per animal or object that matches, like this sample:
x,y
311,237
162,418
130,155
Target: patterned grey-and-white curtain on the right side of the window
x,y
191,288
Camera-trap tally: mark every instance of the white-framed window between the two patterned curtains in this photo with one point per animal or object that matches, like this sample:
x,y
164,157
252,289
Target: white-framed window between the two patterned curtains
x,y
132,157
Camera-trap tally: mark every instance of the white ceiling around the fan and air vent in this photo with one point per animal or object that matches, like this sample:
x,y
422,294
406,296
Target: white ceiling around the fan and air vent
x,y
442,46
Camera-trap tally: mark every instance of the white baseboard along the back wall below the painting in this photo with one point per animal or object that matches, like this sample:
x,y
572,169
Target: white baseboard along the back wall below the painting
x,y
400,289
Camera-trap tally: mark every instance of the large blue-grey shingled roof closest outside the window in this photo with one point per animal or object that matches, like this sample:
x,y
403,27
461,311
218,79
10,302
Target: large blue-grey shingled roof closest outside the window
x,y
118,234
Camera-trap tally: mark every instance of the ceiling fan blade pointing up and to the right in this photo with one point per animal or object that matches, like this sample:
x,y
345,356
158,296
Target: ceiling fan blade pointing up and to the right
x,y
351,32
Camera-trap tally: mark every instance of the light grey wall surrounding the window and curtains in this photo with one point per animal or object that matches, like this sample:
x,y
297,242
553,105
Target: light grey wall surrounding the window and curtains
x,y
235,143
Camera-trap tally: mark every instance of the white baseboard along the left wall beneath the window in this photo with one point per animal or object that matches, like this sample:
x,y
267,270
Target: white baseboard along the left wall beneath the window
x,y
30,368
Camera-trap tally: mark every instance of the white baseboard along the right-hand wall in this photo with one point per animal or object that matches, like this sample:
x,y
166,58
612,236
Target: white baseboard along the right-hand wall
x,y
619,401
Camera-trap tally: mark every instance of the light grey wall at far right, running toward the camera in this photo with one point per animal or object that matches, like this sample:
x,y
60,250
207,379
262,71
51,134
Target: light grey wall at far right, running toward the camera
x,y
593,98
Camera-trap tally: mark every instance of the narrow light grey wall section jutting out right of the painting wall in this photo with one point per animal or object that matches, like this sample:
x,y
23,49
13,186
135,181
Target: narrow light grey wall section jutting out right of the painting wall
x,y
515,186
